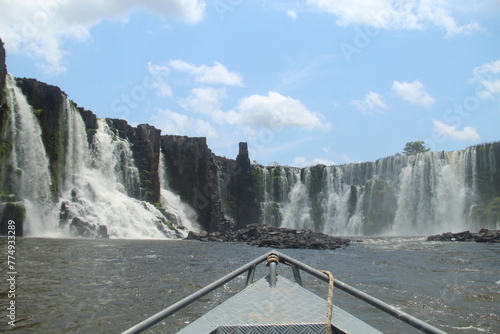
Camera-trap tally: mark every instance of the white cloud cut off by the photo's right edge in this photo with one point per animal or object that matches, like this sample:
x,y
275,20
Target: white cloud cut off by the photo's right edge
x,y
488,76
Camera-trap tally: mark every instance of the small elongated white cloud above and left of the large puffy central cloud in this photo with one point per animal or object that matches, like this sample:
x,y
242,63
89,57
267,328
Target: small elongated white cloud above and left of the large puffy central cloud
x,y
216,74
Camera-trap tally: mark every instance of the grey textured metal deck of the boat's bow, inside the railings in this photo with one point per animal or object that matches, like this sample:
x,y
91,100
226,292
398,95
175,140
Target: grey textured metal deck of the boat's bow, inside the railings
x,y
281,307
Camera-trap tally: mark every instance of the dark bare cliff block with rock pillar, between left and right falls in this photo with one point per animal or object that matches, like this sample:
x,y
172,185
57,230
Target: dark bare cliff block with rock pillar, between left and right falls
x,y
221,190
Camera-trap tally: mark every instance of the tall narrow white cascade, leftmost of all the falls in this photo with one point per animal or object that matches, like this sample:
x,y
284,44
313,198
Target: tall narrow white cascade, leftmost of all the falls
x,y
29,160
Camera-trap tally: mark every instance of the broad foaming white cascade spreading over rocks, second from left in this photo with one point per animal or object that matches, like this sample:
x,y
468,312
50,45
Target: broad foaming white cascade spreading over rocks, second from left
x,y
93,192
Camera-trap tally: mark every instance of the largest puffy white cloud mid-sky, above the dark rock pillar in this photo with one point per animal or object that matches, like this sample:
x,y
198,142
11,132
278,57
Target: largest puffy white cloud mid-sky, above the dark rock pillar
x,y
274,111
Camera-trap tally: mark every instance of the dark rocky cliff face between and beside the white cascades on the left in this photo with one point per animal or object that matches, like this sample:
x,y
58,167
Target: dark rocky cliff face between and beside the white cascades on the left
x,y
215,187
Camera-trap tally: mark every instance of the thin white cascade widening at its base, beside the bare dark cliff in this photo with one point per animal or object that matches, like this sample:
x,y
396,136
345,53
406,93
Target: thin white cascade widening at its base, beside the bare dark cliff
x,y
182,214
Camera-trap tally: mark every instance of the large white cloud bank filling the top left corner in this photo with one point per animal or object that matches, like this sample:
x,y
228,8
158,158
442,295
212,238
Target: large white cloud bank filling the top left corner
x,y
39,29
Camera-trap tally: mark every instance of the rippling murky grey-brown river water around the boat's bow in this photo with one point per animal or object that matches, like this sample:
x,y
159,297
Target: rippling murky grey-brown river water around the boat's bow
x,y
106,286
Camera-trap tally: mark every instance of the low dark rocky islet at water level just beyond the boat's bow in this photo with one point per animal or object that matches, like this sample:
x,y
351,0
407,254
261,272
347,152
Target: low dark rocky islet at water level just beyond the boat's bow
x,y
266,236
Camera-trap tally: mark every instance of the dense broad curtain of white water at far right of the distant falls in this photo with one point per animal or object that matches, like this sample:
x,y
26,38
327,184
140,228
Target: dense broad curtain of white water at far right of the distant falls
x,y
434,193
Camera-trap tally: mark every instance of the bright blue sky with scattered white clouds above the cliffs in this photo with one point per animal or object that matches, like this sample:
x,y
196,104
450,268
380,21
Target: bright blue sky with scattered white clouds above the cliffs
x,y
303,82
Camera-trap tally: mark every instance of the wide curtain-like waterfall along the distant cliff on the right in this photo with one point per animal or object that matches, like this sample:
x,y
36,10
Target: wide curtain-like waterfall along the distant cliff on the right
x,y
422,194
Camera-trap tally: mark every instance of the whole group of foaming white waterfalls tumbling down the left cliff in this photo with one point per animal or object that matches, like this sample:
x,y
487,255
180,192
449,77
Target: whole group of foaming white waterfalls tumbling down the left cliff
x,y
90,190
